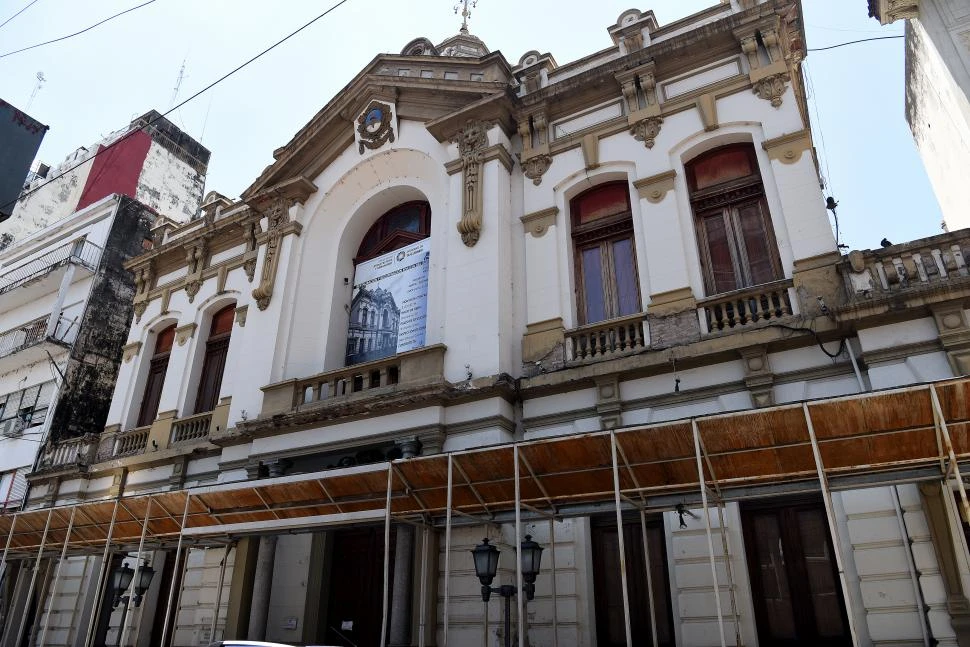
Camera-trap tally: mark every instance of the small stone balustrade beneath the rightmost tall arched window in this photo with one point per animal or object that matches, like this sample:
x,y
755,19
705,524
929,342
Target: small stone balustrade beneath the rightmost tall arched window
x,y
746,308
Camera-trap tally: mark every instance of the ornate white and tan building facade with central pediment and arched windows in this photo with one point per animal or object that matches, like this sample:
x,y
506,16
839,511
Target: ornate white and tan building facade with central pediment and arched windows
x,y
621,327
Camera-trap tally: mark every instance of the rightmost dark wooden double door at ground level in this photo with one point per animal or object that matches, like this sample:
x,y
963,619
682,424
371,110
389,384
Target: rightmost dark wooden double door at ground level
x,y
794,581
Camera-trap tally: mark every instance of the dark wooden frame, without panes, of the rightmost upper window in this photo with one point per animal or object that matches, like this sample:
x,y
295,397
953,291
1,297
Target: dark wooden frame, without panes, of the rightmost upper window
x,y
725,200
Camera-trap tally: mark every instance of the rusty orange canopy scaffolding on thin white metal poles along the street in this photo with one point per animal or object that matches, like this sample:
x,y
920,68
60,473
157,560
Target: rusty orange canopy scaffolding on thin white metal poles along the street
x,y
904,435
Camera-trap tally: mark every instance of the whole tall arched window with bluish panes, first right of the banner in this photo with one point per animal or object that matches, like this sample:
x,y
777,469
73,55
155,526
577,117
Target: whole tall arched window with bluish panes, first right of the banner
x,y
606,268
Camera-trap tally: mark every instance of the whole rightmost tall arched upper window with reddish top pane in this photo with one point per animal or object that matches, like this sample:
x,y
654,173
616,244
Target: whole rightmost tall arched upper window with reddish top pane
x,y
734,233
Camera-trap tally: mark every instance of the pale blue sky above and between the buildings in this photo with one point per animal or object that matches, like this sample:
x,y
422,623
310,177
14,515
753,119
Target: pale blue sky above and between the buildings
x,y
98,81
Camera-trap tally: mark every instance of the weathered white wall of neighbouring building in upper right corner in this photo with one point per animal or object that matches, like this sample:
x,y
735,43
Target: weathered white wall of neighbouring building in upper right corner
x,y
937,93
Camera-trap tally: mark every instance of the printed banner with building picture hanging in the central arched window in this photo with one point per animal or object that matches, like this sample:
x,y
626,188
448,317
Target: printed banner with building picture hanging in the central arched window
x,y
389,310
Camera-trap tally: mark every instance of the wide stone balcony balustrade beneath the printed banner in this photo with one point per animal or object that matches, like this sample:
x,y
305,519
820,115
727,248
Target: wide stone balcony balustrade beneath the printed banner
x,y
412,368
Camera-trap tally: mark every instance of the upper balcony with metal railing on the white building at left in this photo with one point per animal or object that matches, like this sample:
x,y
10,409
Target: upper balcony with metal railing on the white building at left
x,y
44,274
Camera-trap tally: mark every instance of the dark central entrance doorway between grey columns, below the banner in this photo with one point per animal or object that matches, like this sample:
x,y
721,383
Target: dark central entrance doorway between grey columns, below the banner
x,y
355,606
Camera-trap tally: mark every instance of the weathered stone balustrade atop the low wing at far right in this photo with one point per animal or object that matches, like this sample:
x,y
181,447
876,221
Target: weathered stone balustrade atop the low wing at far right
x,y
927,262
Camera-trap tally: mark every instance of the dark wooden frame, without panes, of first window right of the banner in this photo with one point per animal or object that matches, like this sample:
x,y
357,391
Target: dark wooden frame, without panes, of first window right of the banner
x,y
602,233
